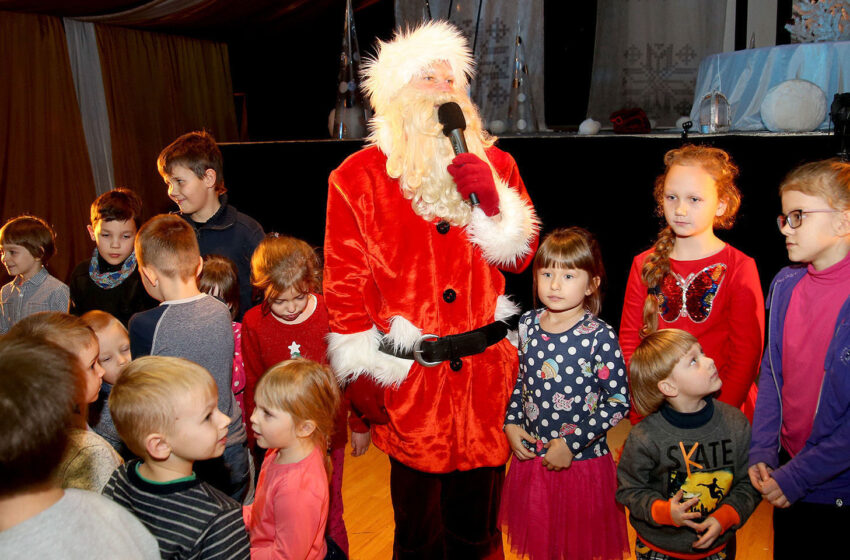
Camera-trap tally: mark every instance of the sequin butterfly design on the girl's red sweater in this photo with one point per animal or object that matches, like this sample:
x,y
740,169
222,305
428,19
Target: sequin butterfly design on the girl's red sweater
x,y
690,297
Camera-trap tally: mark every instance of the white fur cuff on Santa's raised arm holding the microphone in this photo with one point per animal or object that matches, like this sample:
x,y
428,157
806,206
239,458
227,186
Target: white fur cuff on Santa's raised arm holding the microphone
x,y
505,240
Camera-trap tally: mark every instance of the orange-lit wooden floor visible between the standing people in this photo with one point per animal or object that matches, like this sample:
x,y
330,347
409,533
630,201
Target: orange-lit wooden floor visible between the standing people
x,y
369,513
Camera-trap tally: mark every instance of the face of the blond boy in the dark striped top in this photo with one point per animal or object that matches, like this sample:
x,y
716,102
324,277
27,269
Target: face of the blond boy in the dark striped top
x,y
200,428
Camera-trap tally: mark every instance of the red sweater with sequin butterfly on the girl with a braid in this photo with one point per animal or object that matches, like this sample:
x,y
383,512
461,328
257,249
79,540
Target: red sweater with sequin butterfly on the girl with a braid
x,y
729,325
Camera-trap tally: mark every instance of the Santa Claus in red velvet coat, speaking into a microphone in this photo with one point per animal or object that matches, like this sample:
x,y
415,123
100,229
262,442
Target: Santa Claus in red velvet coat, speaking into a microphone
x,y
416,298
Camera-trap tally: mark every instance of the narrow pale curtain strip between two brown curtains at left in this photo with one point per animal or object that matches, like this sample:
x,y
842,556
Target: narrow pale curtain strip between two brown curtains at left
x,y
88,83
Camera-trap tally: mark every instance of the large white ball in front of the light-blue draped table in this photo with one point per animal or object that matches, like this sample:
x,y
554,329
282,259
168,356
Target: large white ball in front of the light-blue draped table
x,y
793,106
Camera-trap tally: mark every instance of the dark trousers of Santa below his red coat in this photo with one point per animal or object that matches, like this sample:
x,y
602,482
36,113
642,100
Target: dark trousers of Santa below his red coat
x,y
451,515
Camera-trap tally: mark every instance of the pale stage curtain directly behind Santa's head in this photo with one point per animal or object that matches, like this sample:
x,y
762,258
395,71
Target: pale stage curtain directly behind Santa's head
x,y
491,27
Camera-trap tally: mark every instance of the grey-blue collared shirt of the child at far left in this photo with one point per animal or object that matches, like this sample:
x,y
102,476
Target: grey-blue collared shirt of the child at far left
x,y
42,292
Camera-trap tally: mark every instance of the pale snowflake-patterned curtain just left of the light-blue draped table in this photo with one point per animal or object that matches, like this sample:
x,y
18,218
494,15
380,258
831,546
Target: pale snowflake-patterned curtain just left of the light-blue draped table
x,y
647,55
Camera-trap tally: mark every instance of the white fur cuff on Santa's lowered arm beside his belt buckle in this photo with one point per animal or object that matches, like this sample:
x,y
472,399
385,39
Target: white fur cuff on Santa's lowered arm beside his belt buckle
x,y
353,355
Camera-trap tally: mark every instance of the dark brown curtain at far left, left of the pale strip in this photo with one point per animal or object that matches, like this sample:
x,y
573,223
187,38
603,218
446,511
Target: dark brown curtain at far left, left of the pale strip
x,y
44,166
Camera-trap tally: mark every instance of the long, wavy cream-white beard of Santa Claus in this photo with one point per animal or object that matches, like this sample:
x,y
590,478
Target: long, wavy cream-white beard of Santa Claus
x,y
418,153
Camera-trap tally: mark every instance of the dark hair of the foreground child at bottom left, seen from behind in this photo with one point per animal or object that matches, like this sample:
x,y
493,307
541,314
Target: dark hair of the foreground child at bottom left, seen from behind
x,y
38,384
